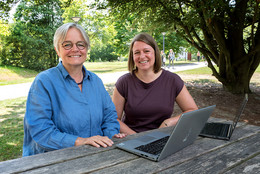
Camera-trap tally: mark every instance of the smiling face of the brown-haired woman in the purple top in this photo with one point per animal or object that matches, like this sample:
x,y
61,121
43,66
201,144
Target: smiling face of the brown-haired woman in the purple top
x,y
144,56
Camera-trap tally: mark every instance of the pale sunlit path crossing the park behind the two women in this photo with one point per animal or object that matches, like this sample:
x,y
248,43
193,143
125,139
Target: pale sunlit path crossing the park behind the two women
x,y
21,90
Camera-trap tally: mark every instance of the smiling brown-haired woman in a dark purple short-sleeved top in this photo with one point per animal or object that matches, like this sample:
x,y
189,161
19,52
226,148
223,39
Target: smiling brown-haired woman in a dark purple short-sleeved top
x,y
147,94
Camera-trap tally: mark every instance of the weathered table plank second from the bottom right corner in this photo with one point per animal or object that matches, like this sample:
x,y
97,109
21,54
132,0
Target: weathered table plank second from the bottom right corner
x,y
222,159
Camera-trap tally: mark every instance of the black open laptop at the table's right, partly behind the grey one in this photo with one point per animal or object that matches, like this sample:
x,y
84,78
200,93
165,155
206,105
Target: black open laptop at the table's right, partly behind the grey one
x,y
223,130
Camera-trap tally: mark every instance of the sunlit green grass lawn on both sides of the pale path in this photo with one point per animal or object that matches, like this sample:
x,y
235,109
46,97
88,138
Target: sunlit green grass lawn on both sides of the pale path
x,y
12,110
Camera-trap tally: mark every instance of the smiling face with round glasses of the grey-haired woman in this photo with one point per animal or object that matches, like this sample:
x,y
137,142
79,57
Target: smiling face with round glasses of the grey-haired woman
x,y
73,56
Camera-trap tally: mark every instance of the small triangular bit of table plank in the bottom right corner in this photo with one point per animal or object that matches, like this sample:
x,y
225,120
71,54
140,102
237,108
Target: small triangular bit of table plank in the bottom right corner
x,y
250,166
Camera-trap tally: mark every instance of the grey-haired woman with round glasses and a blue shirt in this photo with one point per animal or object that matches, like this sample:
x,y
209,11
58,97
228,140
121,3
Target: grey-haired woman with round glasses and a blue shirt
x,y
68,105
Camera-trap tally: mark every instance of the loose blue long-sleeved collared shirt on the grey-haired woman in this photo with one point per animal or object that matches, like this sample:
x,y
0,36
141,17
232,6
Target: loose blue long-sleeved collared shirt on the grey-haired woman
x,y
57,112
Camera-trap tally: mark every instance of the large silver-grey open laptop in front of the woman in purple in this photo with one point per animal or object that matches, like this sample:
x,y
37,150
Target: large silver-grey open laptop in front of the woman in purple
x,y
184,133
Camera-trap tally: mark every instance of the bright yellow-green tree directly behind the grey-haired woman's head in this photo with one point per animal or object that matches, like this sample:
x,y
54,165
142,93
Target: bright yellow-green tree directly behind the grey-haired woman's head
x,y
98,26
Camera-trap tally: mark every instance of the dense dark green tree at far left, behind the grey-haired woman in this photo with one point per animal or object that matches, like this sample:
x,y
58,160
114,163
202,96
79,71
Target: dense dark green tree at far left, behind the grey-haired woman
x,y
30,41
